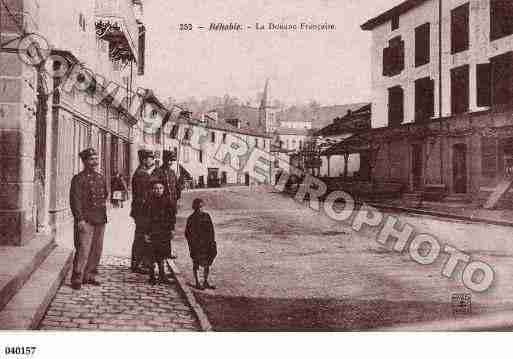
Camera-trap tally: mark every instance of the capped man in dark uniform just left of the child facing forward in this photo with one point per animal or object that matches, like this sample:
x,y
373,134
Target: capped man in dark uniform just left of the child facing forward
x,y
141,189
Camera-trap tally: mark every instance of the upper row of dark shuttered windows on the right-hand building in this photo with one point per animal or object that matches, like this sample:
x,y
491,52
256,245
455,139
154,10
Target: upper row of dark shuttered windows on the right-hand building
x,y
501,25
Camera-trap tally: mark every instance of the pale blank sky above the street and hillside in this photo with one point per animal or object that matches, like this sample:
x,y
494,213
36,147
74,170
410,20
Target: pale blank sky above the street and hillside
x,y
331,67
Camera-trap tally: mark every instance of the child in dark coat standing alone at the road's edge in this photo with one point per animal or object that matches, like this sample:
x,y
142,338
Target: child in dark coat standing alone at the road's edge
x,y
201,240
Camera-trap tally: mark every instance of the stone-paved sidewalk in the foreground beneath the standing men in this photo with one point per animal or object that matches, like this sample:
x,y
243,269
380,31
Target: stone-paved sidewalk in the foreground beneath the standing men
x,y
124,301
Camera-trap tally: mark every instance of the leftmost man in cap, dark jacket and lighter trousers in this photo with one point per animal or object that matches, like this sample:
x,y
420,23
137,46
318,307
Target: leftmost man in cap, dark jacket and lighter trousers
x,y
88,196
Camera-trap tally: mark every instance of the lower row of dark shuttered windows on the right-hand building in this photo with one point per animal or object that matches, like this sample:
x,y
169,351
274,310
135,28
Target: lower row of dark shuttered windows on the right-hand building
x,y
494,87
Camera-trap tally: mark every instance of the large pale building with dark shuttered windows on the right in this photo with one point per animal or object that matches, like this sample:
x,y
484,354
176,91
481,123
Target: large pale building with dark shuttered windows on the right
x,y
442,75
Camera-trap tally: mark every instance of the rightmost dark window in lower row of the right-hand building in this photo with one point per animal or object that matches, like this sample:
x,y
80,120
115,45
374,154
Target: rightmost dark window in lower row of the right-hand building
x,y
501,79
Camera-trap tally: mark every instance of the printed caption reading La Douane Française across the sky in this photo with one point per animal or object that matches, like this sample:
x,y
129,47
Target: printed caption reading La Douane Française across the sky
x,y
270,26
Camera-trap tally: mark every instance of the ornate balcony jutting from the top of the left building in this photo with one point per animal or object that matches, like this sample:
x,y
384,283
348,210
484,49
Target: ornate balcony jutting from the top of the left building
x,y
116,23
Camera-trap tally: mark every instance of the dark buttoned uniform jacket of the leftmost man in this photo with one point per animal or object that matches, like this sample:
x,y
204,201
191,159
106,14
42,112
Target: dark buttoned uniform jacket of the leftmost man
x,y
88,196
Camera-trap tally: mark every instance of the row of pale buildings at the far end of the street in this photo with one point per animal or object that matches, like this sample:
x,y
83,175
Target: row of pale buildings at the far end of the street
x,y
197,142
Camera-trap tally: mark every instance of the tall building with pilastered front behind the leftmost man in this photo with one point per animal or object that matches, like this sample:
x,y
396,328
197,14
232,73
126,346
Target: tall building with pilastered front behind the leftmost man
x,y
74,94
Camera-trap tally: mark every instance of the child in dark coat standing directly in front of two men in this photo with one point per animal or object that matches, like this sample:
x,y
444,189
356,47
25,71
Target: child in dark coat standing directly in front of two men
x,y
158,229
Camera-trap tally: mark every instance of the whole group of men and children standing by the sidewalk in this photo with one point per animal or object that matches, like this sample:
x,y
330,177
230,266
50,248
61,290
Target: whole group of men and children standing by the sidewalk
x,y
155,195
